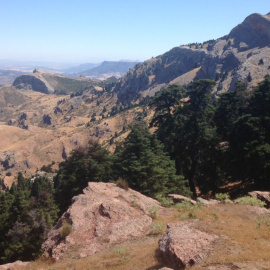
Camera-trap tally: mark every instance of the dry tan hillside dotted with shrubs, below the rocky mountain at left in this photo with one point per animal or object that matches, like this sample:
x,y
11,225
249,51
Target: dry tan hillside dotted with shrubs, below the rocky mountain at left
x,y
37,129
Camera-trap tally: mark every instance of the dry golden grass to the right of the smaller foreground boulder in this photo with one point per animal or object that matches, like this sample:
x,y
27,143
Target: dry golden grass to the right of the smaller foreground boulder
x,y
241,240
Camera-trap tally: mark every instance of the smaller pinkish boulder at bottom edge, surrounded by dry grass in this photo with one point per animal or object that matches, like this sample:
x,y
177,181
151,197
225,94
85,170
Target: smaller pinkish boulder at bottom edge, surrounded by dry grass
x,y
182,245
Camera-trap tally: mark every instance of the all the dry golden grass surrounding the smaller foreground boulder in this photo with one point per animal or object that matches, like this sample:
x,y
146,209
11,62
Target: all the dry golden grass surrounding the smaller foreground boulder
x,y
241,240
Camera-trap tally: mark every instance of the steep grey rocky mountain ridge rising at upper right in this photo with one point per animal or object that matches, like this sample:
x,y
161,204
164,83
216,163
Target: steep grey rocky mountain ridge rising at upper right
x,y
243,54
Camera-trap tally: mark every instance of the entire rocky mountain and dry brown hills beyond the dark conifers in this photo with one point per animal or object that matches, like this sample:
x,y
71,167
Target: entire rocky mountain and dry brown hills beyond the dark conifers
x,y
64,113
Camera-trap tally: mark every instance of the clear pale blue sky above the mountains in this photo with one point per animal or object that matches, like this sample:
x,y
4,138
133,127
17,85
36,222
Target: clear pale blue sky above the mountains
x,y
96,30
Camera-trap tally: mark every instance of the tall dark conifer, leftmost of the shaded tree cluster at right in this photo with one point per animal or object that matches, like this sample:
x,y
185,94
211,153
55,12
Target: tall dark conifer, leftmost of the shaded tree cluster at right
x,y
189,133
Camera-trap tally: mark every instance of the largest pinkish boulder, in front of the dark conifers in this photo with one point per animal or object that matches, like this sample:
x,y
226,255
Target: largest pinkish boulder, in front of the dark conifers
x,y
103,216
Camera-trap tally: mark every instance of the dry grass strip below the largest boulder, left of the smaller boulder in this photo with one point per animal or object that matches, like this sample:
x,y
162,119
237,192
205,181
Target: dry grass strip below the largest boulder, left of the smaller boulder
x,y
137,255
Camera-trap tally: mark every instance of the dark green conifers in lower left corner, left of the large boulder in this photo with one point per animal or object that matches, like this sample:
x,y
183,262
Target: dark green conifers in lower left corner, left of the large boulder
x,y
27,212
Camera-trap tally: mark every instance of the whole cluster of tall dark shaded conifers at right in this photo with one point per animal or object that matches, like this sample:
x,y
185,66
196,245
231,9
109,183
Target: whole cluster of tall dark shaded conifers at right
x,y
216,141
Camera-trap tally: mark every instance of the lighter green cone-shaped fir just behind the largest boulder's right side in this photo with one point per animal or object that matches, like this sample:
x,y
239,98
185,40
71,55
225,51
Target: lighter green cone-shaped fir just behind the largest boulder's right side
x,y
144,164
